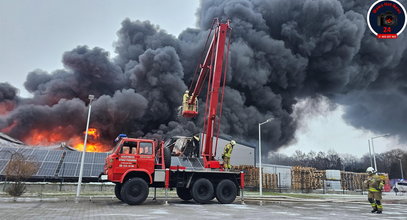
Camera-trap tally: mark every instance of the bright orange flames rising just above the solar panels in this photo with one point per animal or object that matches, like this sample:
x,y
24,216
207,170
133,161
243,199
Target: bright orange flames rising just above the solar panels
x,y
57,135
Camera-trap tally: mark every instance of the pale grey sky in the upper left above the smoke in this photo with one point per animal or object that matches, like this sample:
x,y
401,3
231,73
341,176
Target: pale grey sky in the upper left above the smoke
x,y
35,34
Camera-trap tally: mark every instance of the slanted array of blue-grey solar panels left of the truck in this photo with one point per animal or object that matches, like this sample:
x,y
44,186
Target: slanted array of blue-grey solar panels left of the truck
x,y
56,163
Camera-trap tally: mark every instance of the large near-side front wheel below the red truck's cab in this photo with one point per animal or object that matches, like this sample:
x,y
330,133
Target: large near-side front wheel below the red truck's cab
x,y
134,191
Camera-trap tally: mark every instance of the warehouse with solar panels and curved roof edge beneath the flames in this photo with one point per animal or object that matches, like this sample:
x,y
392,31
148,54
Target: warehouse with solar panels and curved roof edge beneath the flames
x,y
55,163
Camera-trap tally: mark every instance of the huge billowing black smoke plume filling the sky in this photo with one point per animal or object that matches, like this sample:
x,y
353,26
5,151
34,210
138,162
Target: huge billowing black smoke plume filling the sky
x,y
282,51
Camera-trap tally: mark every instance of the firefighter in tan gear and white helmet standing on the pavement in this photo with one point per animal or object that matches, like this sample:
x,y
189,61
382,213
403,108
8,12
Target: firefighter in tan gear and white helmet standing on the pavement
x,y
374,185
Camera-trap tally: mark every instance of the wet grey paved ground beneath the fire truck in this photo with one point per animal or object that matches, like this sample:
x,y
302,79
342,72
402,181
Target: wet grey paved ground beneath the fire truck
x,y
285,208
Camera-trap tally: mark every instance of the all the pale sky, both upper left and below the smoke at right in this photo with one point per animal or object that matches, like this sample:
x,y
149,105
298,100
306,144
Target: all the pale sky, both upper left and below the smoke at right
x,y
35,34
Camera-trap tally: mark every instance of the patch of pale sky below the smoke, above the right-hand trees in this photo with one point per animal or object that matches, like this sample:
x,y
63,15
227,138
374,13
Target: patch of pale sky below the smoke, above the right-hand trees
x,y
328,131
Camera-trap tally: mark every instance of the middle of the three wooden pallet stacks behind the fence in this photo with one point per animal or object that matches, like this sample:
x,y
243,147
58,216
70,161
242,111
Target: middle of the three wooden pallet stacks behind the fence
x,y
306,178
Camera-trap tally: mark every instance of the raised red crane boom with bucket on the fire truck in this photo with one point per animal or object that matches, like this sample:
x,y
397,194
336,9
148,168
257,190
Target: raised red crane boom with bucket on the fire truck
x,y
211,68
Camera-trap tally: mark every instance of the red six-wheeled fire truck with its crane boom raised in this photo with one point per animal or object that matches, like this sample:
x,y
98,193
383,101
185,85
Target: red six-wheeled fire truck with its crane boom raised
x,y
135,164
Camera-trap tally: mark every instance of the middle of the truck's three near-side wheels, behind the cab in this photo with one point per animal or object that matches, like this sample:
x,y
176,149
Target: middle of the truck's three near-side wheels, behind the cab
x,y
202,191
